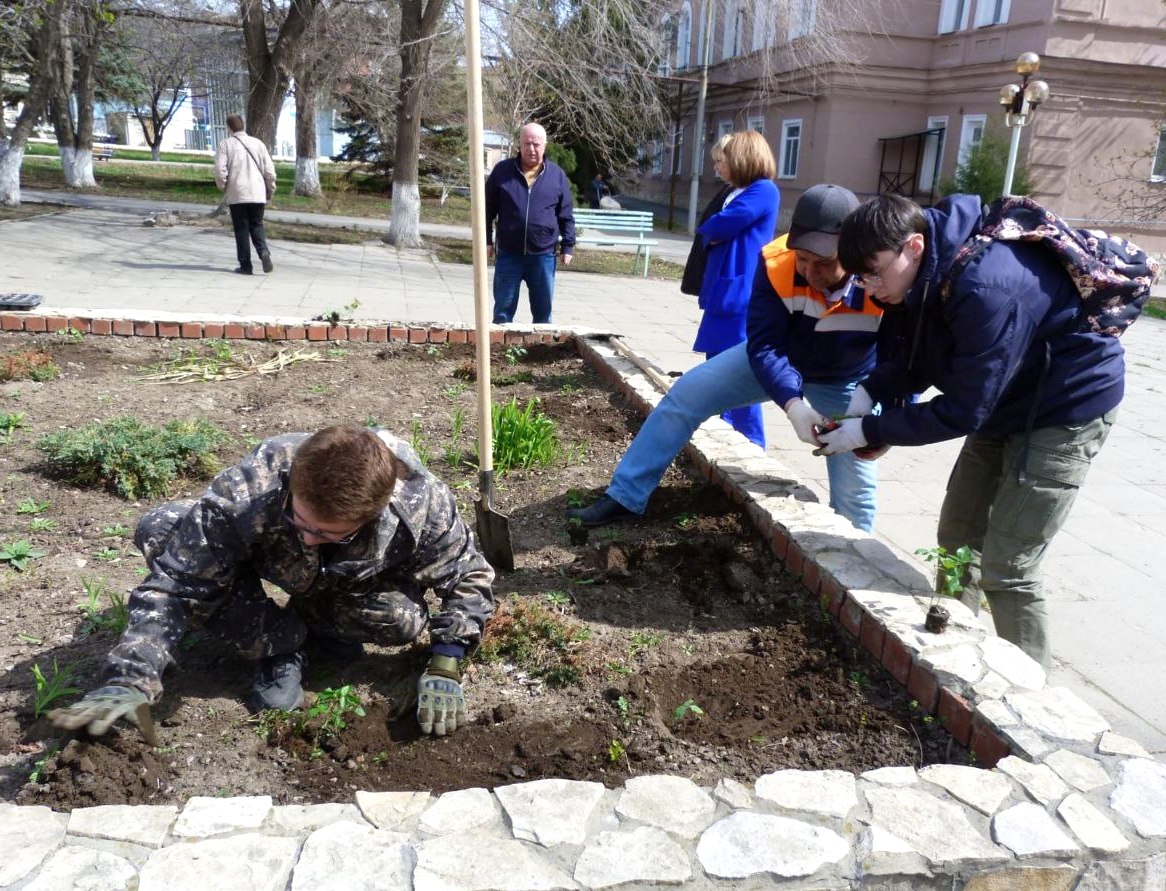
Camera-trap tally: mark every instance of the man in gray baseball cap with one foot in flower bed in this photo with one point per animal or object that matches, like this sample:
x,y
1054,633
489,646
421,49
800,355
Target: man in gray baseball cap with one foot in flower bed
x,y
812,339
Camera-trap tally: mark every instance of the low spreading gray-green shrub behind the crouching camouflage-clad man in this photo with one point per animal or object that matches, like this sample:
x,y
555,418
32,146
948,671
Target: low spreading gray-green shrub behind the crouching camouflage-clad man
x,y
131,459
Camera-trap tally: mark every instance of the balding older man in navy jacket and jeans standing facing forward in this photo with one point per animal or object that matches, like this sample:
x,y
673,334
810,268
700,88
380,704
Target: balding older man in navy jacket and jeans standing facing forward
x,y
531,200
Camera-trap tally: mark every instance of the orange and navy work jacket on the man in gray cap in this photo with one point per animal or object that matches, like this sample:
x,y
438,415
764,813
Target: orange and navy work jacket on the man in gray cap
x,y
796,334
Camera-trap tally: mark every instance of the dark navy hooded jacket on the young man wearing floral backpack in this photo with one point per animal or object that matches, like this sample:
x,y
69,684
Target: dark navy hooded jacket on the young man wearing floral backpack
x,y
986,346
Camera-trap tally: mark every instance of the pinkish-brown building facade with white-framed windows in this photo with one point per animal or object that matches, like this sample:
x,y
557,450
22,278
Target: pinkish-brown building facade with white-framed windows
x,y
896,104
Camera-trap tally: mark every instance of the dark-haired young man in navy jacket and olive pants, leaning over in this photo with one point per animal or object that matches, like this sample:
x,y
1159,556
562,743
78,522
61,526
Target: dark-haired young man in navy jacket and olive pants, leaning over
x,y
1035,395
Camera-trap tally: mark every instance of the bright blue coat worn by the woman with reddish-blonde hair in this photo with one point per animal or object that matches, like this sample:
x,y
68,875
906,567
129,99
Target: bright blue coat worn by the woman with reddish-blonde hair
x,y
734,240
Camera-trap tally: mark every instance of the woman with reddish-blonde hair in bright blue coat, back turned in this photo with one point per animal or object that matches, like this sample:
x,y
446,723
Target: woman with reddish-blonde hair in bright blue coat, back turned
x,y
734,240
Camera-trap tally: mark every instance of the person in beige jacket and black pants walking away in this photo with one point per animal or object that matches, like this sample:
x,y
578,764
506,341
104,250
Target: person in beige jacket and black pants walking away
x,y
244,171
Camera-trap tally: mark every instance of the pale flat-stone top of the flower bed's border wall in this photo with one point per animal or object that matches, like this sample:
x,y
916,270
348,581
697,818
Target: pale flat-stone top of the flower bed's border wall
x,y
1060,802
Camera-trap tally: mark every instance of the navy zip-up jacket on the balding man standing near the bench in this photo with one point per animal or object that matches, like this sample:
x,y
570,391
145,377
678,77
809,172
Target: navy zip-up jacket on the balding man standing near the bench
x,y
531,220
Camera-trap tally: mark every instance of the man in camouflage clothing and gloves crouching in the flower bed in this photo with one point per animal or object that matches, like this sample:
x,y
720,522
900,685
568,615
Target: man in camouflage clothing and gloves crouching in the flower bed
x,y
352,528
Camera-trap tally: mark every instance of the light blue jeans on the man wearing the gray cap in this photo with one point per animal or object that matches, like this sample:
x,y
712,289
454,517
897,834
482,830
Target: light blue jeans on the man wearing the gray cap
x,y
722,383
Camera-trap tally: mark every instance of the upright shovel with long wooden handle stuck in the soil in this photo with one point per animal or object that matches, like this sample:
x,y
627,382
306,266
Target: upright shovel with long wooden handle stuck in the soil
x,y
494,528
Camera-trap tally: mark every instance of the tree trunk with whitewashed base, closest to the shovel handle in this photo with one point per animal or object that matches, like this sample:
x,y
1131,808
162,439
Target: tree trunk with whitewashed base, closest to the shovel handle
x,y
419,23
